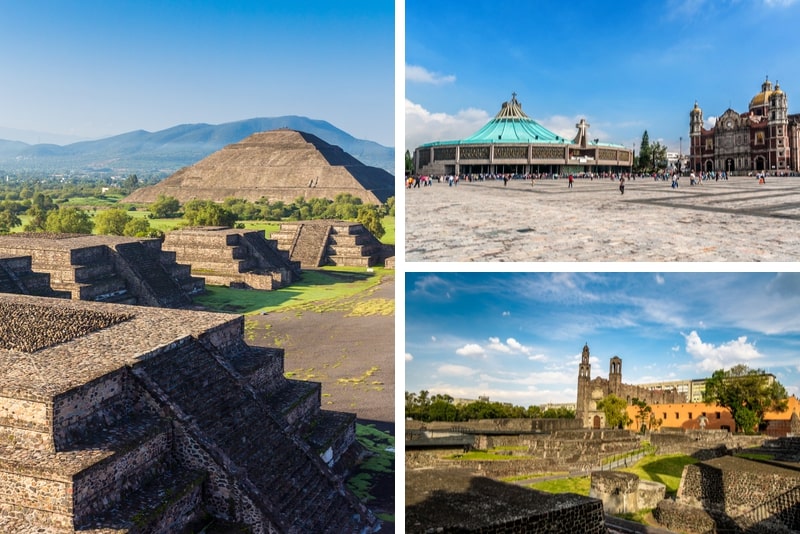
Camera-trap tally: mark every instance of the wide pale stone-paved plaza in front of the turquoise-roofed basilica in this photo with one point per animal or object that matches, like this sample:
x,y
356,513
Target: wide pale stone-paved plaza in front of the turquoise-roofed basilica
x,y
738,220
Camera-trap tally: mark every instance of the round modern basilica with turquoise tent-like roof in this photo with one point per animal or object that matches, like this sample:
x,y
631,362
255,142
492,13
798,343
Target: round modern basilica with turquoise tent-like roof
x,y
513,143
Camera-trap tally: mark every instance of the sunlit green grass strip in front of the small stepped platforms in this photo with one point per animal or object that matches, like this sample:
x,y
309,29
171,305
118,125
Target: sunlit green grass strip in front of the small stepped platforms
x,y
314,291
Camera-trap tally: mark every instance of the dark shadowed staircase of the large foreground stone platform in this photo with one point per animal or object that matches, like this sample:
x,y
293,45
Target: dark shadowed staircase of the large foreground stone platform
x,y
289,485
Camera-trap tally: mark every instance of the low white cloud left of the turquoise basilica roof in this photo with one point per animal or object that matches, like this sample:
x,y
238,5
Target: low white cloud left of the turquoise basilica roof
x,y
422,126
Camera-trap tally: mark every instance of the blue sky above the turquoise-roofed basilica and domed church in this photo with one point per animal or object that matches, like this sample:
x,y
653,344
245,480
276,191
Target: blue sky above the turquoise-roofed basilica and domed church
x,y
626,66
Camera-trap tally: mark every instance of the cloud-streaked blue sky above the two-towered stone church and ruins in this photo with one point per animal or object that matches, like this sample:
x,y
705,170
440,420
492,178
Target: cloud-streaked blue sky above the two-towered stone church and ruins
x,y
517,337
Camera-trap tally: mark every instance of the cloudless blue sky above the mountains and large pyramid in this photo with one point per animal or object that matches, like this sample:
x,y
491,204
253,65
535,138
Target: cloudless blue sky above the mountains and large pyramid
x,y
94,68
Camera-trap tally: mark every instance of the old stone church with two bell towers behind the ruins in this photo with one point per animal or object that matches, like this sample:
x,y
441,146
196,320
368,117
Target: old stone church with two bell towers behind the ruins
x,y
591,391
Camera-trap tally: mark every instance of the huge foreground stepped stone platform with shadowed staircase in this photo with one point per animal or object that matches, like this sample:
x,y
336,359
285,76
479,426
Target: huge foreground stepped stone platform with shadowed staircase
x,y
119,418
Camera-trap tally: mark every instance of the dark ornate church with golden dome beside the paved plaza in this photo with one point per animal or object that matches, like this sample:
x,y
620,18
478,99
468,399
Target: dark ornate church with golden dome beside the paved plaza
x,y
766,138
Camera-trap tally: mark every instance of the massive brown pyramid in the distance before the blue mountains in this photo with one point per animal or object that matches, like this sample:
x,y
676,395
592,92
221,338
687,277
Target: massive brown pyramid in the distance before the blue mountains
x,y
279,165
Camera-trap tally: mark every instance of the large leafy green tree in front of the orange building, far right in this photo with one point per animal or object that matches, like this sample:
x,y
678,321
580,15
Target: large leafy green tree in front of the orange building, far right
x,y
747,394
